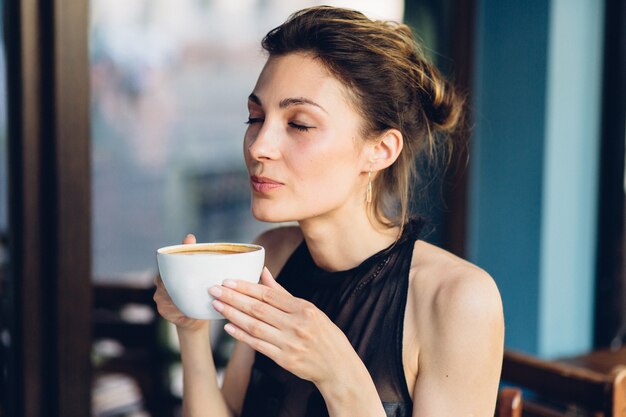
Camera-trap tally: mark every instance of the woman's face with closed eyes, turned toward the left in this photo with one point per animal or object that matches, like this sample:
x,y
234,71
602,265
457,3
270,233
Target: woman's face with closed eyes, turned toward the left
x,y
303,147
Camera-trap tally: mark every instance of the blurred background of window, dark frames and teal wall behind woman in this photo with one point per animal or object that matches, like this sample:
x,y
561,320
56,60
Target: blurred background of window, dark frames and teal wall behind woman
x,y
121,126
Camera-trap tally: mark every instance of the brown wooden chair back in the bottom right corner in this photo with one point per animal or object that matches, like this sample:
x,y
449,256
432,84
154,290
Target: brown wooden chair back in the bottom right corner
x,y
588,385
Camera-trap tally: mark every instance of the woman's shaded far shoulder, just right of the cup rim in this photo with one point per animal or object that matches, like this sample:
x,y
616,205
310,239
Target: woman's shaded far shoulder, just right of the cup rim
x,y
279,244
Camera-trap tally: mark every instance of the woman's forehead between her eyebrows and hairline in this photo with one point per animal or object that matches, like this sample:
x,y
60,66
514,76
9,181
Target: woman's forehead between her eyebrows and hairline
x,y
300,75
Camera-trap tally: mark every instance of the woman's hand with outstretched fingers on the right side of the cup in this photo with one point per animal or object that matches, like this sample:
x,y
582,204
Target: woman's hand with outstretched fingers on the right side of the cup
x,y
291,331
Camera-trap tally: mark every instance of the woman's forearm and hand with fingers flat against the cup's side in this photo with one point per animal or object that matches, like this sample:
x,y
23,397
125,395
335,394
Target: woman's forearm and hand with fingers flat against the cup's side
x,y
300,338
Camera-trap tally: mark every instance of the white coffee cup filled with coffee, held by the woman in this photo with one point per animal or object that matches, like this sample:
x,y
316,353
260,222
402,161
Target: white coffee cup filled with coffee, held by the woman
x,y
188,271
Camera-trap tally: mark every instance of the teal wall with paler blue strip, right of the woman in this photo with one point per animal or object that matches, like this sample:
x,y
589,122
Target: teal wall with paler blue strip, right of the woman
x,y
533,180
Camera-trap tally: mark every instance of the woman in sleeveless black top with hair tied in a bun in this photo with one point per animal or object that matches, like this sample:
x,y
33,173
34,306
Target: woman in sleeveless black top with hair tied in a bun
x,y
364,319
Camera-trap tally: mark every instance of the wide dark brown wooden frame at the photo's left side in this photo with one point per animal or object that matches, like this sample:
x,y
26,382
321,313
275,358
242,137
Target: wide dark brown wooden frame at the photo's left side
x,y
49,177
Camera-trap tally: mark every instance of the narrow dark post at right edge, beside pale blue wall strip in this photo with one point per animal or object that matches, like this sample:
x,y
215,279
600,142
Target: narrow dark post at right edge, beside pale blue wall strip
x,y
610,301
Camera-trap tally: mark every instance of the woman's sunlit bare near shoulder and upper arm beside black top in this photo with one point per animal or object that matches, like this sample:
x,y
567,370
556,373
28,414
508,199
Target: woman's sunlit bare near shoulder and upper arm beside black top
x,y
459,333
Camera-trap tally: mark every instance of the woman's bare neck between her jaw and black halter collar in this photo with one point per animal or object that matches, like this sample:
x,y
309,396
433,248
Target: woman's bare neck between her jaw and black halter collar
x,y
343,242
